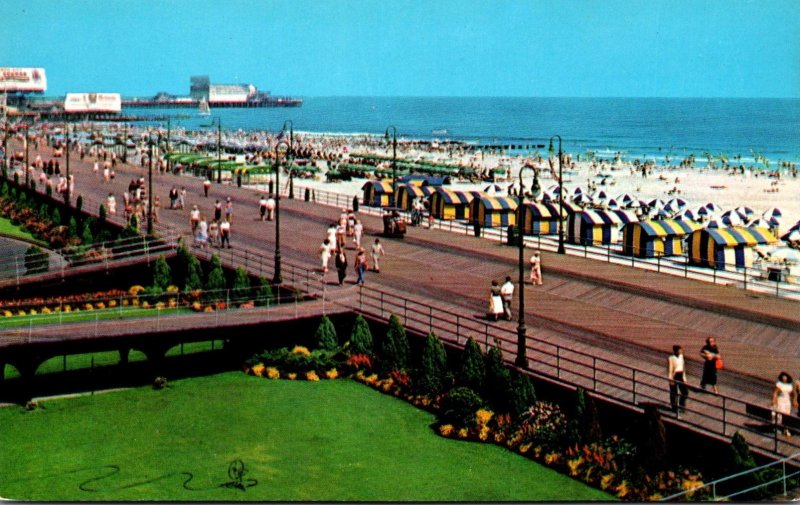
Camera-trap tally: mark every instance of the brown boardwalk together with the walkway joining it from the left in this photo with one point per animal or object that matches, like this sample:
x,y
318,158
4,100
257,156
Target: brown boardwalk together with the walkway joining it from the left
x,y
598,325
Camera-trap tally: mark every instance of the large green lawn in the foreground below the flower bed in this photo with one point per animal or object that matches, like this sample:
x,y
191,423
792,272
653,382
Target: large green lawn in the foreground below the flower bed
x,y
298,441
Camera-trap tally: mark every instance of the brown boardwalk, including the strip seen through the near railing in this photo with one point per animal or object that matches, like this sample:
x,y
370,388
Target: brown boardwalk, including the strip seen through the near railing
x,y
599,312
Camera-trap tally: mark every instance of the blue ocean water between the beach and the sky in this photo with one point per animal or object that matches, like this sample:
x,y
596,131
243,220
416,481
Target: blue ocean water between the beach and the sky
x,y
643,128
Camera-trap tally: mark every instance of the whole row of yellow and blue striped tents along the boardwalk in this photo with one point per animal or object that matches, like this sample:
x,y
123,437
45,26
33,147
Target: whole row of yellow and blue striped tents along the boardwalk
x,y
712,246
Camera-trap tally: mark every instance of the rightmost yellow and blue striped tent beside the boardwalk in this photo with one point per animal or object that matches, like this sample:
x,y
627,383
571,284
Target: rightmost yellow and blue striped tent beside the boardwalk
x,y
722,248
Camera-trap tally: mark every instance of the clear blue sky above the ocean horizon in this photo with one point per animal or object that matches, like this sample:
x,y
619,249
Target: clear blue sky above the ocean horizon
x,y
567,48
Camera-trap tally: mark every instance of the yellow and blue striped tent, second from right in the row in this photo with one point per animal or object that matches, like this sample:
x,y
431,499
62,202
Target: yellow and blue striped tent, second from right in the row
x,y
650,239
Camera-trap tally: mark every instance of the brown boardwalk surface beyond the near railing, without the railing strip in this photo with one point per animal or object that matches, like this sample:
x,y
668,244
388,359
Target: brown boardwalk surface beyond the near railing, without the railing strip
x,y
611,311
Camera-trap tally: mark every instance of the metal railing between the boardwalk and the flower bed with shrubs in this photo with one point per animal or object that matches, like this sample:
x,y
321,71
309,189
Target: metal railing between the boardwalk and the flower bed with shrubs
x,y
607,377
